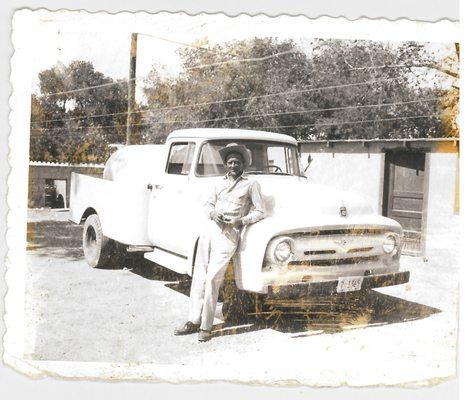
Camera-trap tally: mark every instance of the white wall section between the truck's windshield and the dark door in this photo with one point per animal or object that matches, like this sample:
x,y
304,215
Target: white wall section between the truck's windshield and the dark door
x,y
358,172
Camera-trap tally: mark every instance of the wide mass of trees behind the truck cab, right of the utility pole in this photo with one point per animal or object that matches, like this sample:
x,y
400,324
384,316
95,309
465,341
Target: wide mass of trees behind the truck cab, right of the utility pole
x,y
332,89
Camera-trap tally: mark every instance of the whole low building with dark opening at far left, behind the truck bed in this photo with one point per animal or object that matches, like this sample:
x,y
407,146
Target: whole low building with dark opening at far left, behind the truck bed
x,y
49,183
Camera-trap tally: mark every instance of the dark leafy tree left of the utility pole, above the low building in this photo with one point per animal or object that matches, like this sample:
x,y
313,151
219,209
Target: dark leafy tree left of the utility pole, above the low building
x,y
78,112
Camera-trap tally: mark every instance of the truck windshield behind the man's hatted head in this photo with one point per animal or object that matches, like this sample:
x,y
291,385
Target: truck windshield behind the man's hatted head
x,y
266,158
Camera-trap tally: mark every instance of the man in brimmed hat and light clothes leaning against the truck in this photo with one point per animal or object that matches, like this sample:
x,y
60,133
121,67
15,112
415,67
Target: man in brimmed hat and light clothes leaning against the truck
x,y
235,201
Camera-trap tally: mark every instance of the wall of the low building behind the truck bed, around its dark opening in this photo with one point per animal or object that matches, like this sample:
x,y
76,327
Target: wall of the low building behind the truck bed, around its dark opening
x,y
40,172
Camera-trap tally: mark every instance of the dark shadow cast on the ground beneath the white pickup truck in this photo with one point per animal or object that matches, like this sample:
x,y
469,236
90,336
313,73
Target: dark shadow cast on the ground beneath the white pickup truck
x,y
307,317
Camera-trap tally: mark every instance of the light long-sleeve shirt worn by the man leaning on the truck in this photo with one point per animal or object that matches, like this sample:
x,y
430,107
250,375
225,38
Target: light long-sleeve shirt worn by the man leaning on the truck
x,y
240,198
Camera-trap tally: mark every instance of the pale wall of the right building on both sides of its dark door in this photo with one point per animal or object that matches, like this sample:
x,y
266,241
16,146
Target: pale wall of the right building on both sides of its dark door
x,y
349,166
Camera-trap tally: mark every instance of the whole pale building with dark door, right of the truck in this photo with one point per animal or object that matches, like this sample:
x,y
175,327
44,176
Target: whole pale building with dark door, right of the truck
x,y
414,181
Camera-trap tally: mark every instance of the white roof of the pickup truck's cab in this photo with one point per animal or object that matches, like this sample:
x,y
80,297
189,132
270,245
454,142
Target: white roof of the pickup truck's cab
x,y
224,133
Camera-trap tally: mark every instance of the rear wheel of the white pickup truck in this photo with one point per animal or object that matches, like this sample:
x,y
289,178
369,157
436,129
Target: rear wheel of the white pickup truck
x,y
98,248
